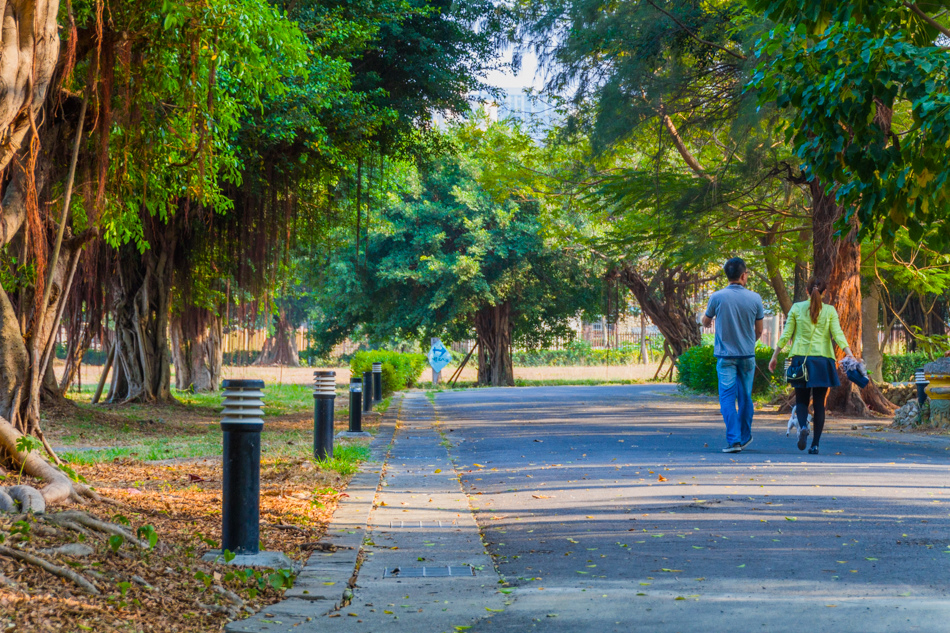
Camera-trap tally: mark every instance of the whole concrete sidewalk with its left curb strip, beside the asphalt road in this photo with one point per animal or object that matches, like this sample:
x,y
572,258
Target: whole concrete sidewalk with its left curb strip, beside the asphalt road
x,y
422,567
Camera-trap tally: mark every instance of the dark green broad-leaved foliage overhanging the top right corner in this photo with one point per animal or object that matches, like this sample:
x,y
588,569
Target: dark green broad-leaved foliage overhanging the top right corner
x,y
867,87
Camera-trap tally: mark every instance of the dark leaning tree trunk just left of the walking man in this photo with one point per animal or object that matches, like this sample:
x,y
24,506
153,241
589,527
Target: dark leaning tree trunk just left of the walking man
x,y
666,300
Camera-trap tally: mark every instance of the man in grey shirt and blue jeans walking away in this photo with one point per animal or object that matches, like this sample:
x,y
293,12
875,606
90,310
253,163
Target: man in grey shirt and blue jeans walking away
x,y
738,313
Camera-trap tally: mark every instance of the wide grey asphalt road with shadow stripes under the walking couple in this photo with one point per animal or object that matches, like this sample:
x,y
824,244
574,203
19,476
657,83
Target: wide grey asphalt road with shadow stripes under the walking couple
x,y
613,509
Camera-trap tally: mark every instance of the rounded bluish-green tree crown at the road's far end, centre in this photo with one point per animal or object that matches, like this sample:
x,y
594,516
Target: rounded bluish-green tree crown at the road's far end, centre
x,y
451,244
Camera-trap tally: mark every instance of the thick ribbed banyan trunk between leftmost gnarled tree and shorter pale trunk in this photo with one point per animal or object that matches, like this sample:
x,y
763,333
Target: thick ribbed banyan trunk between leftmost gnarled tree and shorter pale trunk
x,y
142,292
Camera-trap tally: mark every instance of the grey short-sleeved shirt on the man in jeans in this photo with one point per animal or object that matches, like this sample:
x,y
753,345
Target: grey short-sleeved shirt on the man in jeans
x,y
736,309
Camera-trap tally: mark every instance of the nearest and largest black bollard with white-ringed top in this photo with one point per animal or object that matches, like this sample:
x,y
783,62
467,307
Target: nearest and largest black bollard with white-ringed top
x,y
242,423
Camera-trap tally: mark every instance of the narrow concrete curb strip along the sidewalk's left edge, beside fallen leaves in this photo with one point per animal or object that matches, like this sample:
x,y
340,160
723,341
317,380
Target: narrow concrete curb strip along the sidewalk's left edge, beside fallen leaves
x,y
325,581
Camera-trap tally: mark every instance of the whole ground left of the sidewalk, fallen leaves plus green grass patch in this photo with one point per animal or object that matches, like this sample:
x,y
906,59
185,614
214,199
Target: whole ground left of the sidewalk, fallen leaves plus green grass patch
x,y
158,470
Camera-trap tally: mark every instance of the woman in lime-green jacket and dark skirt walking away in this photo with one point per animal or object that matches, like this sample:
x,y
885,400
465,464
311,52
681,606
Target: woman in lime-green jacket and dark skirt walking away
x,y
811,325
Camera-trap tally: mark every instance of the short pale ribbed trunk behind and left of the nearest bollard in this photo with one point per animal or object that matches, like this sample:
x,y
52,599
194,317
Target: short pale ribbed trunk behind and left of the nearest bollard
x,y
196,349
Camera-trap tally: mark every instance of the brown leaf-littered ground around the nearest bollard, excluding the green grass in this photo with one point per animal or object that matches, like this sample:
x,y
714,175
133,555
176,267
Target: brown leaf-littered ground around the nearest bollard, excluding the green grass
x,y
167,588
